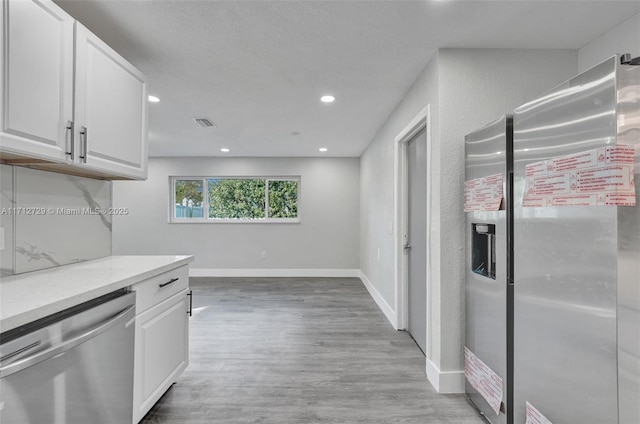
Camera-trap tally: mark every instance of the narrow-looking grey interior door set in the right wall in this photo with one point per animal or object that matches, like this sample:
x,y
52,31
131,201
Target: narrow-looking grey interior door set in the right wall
x,y
416,238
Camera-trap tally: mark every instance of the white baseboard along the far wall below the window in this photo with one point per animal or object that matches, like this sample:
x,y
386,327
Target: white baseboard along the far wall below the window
x,y
239,272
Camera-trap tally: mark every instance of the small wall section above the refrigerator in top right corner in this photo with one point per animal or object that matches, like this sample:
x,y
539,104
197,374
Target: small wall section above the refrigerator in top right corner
x,y
625,38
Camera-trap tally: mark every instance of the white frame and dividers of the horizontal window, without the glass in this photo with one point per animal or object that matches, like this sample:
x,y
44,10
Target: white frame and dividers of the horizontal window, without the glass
x,y
205,201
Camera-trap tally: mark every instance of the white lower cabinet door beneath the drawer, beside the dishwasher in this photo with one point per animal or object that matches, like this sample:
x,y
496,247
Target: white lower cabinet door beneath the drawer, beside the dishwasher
x,y
161,352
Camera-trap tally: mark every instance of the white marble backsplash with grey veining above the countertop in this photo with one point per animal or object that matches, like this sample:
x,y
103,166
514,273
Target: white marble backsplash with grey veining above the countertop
x,y
59,219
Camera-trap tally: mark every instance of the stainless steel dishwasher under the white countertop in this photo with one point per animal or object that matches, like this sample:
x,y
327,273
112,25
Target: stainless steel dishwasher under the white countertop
x,y
74,367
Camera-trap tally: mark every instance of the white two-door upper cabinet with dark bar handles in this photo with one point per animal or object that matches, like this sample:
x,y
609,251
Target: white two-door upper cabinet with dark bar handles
x,y
70,102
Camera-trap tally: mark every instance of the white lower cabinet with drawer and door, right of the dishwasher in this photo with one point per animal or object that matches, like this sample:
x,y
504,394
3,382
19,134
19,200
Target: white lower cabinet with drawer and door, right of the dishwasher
x,y
162,337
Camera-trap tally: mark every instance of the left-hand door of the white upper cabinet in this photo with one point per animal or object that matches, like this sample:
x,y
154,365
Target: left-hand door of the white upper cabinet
x,y
36,88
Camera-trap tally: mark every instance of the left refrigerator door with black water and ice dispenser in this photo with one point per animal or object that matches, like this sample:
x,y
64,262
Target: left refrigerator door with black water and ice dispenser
x,y
487,169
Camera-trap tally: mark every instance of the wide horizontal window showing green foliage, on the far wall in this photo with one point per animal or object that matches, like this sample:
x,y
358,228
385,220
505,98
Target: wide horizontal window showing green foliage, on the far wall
x,y
235,199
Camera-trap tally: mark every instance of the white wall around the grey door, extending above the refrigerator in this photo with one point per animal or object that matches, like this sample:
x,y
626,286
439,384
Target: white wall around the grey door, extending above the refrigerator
x,y
465,89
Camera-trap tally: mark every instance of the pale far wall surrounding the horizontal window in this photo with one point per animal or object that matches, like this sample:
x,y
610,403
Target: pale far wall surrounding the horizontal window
x,y
326,239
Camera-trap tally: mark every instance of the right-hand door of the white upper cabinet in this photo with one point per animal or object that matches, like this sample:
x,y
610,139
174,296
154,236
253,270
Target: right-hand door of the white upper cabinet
x,y
110,109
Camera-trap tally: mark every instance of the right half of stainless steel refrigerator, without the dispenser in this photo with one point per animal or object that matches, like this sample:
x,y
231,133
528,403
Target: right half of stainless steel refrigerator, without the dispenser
x,y
577,250
